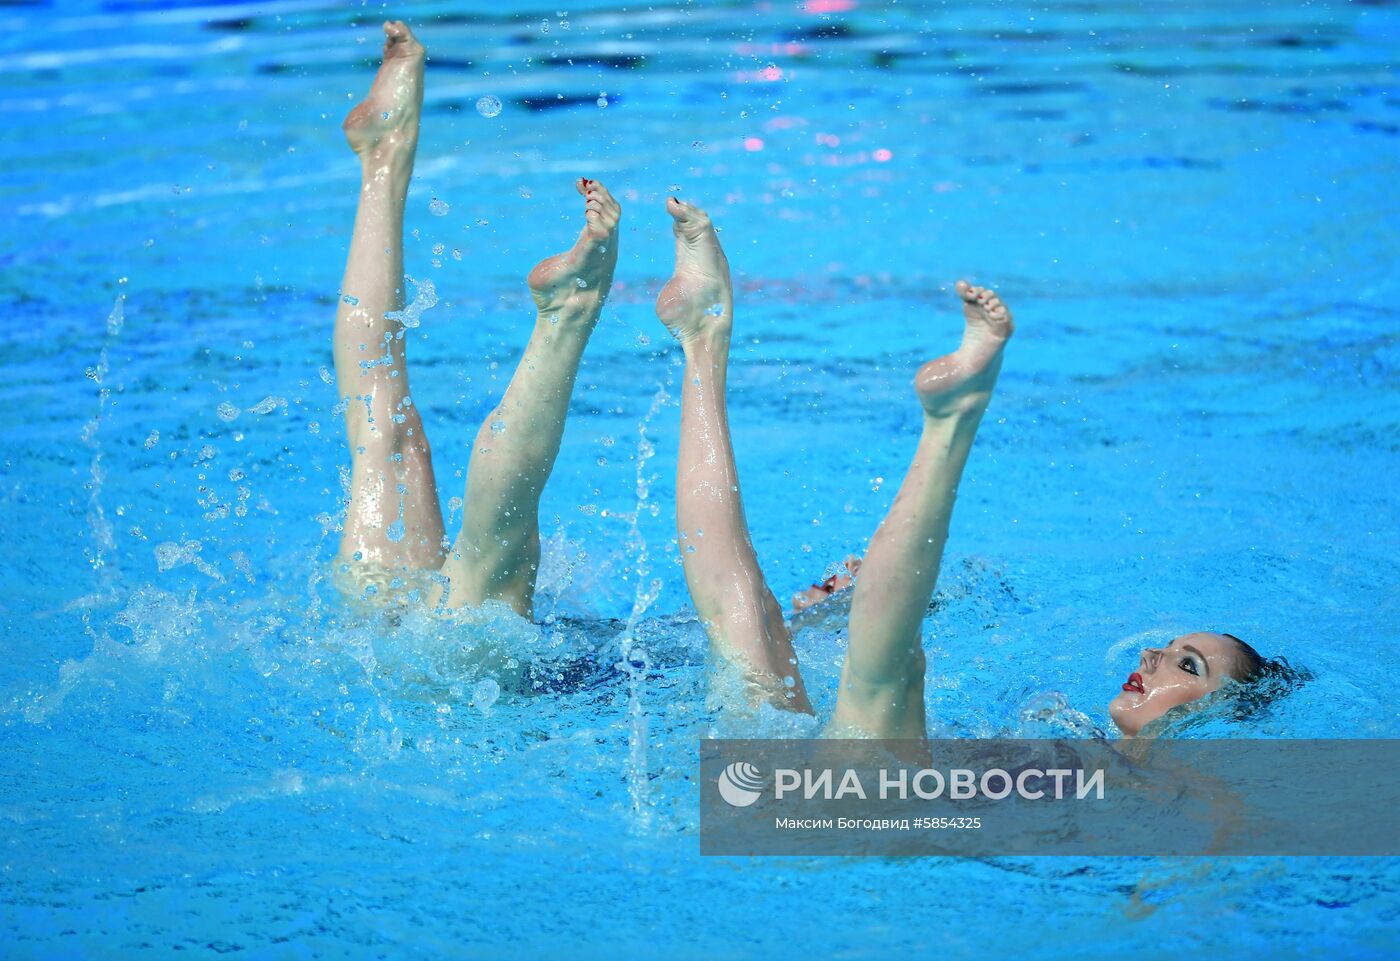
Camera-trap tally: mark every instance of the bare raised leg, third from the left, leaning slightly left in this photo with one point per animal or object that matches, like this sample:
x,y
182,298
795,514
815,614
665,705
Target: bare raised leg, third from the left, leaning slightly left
x,y
740,613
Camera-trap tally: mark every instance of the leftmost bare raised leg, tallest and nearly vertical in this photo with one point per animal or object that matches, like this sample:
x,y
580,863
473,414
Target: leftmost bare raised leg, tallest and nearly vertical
x,y
394,518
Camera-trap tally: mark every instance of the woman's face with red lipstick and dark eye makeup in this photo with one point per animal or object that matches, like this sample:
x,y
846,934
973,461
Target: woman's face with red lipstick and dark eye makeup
x,y
1168,677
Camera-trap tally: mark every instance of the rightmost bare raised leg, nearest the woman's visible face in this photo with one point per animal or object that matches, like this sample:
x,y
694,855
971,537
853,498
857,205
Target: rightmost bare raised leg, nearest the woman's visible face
x,y
883,682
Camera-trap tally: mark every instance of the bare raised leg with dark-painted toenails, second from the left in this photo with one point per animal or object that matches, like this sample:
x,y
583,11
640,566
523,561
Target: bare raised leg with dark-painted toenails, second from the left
x,y
498,551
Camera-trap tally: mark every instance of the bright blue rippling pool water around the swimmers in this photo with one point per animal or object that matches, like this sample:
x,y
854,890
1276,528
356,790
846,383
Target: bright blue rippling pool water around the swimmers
x,y
206,750
